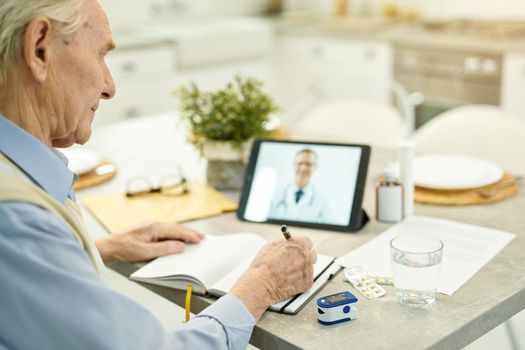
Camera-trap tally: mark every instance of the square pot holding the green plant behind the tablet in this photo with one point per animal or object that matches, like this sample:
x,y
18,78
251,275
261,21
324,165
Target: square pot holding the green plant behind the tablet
x,y
226,164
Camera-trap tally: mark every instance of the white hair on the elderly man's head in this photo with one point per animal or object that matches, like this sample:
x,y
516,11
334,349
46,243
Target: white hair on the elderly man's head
x,y
15,16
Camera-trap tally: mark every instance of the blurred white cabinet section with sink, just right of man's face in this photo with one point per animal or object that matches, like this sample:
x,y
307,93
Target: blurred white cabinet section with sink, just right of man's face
x,y
152,60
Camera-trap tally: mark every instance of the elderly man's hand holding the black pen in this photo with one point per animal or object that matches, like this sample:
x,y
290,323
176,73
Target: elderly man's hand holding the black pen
x,y
280,270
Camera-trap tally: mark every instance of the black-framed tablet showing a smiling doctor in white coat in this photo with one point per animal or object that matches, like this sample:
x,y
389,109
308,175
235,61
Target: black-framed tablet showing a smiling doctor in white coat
x,y
308,184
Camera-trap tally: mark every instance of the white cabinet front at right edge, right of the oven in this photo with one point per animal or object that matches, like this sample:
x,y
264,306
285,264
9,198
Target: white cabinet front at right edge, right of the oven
x,y
513,84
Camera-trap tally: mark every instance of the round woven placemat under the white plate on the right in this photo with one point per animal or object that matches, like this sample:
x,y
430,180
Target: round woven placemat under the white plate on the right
x,y
467,197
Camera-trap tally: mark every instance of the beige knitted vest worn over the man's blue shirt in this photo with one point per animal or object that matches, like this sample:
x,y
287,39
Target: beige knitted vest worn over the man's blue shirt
x,y
16,186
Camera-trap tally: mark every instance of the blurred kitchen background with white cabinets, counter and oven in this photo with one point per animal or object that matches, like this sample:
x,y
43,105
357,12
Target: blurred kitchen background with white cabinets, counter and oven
x,y
445,53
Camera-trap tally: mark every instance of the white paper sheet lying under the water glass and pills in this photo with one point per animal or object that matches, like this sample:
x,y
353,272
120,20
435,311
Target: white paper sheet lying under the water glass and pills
x,y
466,249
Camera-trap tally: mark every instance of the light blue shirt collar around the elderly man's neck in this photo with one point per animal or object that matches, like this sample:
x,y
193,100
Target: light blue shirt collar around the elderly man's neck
x,y
44,165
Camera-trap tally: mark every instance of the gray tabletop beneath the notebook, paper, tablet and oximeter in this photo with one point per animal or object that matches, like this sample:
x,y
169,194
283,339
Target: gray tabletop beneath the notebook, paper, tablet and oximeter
x,y
491,296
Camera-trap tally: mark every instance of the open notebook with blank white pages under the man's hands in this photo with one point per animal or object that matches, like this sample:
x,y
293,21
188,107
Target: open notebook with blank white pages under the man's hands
x,y
214,265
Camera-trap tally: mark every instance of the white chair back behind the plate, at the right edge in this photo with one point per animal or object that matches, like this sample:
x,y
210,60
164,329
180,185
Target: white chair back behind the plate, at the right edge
x,y
477,130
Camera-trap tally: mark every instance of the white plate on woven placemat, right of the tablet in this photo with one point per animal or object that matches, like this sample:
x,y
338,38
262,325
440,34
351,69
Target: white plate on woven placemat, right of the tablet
x,y
454,172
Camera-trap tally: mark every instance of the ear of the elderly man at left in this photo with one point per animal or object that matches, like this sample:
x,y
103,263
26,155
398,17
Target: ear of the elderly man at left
x,y
37,47
